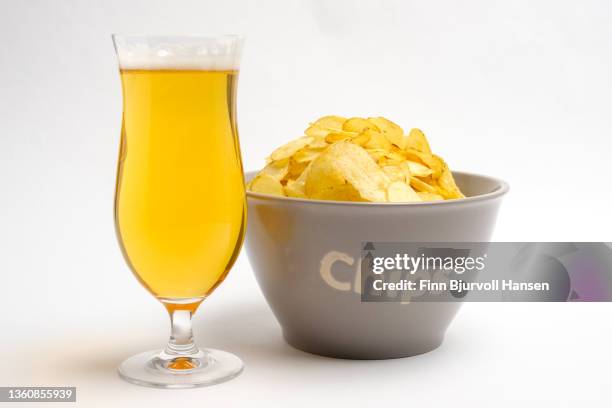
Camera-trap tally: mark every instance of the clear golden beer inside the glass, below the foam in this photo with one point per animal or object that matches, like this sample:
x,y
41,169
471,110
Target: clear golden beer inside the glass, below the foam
x,y
180,203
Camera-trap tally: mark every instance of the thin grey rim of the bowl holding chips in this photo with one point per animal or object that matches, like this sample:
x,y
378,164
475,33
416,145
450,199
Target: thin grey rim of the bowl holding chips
x,y
501,189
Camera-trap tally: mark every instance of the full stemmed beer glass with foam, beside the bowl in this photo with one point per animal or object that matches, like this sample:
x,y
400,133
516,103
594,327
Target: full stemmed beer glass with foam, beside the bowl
x,y
180,210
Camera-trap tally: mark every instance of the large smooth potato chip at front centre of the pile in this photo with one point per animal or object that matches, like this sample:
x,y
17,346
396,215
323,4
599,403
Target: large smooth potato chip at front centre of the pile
x,y
342,164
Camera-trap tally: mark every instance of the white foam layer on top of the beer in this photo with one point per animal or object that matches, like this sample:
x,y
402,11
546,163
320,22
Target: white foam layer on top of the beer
x,y
179,54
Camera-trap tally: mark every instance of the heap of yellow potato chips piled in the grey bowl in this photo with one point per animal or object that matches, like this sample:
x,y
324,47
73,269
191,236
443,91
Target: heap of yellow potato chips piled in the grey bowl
x,y
357,159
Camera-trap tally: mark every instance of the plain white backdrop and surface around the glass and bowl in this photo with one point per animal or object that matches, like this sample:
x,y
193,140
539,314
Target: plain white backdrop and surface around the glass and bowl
x,y
520,90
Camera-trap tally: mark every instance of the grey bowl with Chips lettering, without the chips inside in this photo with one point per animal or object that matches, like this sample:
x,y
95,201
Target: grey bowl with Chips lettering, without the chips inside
x,y
291,244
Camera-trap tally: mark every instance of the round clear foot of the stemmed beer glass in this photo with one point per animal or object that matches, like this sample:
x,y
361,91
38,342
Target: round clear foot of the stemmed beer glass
x,y
152,369
